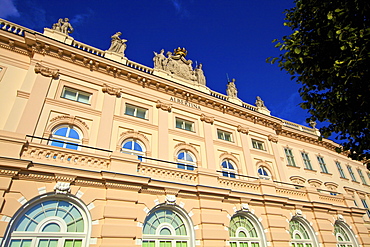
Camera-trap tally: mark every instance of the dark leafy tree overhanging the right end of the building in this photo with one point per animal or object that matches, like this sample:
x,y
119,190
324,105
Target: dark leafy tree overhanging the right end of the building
x,y
328,52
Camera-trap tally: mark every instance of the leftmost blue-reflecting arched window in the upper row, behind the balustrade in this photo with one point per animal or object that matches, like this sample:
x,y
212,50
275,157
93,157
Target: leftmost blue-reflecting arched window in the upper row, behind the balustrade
x,y
66,136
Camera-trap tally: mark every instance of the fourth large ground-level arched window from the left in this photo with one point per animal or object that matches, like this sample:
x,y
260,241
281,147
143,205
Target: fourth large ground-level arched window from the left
x,y
301,234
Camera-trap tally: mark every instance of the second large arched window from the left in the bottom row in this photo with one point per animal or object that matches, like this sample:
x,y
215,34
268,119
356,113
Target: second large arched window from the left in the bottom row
x,y
168,228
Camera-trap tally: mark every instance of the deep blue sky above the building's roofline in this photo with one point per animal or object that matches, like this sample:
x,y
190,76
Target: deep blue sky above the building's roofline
x,y
227,36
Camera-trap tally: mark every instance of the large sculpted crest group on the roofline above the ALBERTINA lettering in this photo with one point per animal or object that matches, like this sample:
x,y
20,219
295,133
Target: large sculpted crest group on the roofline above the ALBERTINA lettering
x,y
176,64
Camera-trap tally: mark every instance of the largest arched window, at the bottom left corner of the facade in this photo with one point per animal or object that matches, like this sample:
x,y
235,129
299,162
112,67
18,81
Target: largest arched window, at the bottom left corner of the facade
x,y
51,221
